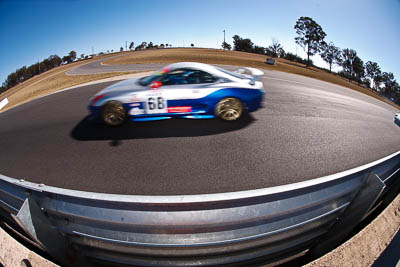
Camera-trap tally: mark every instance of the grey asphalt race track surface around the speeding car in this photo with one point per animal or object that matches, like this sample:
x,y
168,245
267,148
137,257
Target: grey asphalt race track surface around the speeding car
x,y
307,129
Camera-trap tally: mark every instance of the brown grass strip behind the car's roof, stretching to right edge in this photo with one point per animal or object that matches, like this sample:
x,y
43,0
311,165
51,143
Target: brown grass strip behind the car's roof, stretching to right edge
x,y
214,56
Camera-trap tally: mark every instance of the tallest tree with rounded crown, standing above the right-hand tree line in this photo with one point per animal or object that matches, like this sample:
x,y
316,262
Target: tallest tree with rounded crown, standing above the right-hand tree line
x,y
310,36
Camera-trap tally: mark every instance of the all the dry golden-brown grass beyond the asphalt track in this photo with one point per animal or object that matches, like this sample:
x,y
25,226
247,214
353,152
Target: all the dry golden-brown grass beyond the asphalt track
x,y
55,79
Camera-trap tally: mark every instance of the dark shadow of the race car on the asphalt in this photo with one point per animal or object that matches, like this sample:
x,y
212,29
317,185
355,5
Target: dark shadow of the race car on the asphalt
x,y
86,130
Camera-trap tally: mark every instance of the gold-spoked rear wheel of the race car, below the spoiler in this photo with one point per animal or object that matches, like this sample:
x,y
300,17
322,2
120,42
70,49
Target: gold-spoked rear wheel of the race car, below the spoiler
x,y
229,109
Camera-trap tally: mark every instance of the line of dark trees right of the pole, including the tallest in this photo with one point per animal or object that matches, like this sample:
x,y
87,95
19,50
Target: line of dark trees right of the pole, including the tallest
x,y
311,37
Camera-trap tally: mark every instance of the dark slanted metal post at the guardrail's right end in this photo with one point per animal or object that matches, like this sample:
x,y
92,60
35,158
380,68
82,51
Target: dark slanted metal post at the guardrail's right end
x,y
363,201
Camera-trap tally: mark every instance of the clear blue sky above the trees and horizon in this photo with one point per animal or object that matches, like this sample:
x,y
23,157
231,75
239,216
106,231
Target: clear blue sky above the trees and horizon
x,y
33,30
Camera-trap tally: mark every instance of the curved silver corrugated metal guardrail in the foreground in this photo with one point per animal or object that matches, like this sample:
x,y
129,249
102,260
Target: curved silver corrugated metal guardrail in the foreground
x,y
267,225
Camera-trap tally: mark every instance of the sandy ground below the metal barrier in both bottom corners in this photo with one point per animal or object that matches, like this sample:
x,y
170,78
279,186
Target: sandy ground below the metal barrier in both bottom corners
x,y
368,247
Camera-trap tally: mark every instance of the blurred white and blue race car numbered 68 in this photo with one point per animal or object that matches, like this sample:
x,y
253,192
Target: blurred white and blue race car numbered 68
x,y
185,90
